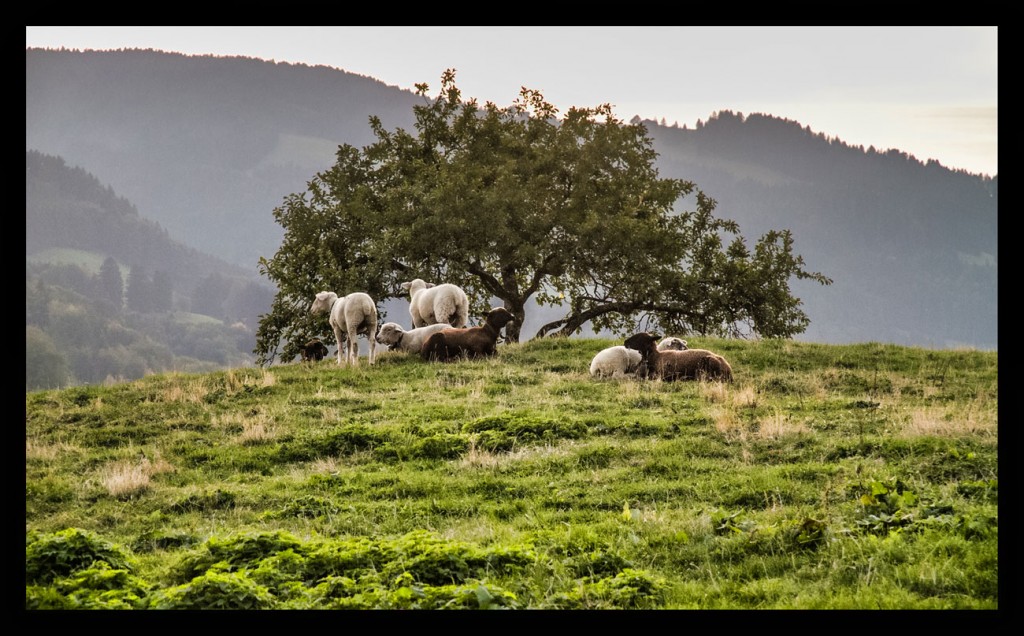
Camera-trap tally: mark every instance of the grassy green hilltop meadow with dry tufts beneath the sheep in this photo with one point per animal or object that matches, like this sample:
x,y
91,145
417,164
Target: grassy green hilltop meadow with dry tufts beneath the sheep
x,y
824,478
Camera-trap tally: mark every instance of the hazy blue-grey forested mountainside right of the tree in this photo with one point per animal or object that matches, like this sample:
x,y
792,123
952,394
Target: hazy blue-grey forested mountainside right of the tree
x,y
913,247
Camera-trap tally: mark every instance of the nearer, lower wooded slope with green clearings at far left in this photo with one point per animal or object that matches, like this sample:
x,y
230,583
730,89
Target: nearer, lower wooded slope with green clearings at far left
x,y
109,296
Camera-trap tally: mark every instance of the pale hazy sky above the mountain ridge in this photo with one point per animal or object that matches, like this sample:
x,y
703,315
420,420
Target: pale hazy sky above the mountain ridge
x,y
930,92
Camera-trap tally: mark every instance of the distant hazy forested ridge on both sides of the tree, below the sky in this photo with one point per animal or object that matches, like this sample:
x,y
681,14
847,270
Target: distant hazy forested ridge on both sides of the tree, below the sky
x,y
207,147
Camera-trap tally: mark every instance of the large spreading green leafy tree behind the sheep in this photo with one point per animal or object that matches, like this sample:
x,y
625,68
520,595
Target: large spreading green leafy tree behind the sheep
x,y
515,203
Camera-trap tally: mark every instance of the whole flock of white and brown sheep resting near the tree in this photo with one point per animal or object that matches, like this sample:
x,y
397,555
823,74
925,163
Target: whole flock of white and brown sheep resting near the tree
x,y
440,332
